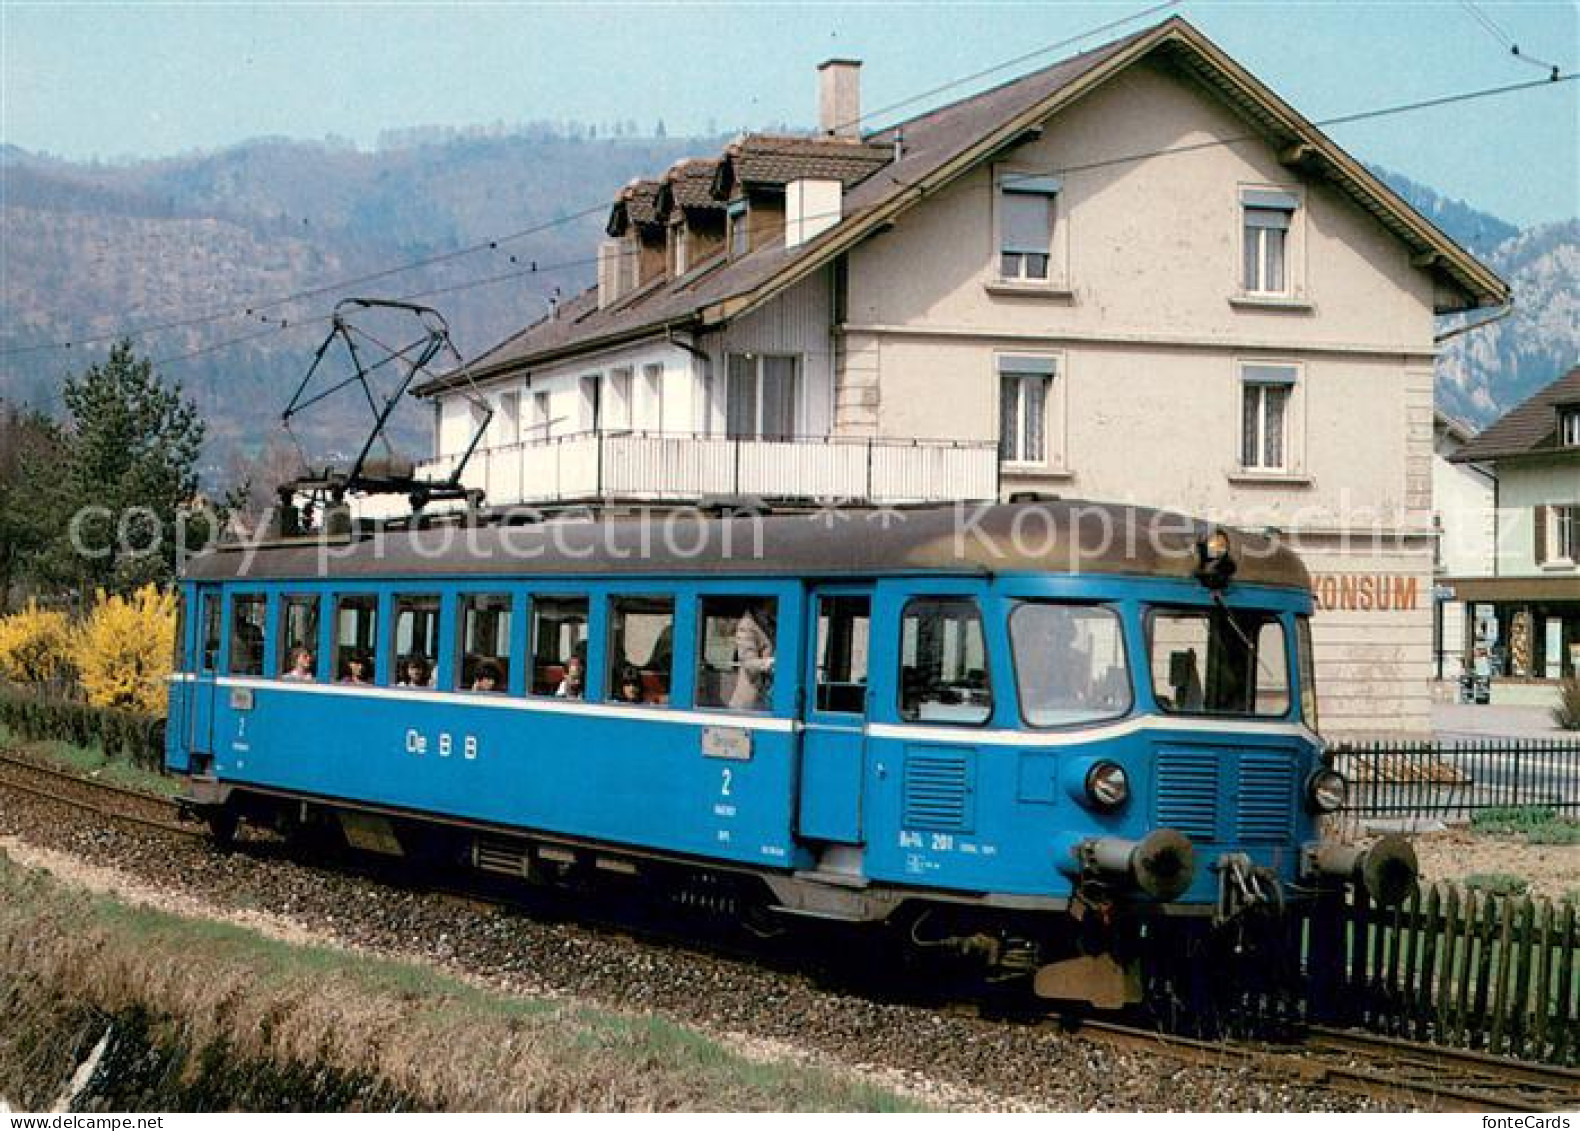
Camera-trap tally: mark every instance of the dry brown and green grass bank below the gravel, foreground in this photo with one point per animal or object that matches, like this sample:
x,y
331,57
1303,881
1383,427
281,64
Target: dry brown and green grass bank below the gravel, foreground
x,y
446,1043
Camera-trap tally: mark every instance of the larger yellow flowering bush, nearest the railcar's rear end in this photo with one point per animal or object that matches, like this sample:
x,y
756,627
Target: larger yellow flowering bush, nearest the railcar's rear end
x,y
124,650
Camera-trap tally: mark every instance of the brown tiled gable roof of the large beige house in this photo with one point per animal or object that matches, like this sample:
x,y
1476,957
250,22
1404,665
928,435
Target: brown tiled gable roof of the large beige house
x,y
936,148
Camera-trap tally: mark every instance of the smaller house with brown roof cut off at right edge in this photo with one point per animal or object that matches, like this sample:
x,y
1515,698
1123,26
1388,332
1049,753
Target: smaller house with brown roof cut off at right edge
x,y
1525,612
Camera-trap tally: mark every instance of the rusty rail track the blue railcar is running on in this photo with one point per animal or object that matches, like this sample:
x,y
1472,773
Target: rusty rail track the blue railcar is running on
x,y
1424,1077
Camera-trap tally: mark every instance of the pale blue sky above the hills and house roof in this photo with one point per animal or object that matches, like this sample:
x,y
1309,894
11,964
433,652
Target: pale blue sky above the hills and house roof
x,y
152,80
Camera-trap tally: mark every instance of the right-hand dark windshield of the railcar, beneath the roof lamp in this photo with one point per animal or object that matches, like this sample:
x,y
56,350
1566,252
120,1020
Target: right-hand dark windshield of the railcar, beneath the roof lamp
x,y
1219,661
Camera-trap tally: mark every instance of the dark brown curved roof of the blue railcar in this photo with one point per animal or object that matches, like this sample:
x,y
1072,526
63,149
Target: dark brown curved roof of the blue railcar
x,y
1029,538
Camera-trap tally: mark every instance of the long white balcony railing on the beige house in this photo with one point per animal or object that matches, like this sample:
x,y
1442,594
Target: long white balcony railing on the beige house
x,y
687,468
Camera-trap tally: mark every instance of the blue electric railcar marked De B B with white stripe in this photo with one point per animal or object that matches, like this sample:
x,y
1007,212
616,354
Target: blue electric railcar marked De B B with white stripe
x,y
1020,732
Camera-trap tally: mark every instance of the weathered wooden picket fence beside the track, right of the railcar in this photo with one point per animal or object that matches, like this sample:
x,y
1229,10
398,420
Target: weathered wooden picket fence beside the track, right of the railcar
x,y
1454,968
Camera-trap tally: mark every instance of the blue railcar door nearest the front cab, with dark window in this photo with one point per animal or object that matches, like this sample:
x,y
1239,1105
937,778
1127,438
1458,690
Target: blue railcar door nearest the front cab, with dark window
x,y
833,738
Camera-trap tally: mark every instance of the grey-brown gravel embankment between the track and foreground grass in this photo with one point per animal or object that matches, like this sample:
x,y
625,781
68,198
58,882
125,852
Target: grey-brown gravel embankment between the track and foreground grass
x,y
938,1058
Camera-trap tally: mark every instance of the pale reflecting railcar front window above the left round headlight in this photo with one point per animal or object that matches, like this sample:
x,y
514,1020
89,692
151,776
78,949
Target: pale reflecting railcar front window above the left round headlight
x,y
1069,664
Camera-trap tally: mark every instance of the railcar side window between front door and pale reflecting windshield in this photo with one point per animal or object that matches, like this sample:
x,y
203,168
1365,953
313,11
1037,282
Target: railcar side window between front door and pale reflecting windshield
x,y
944,663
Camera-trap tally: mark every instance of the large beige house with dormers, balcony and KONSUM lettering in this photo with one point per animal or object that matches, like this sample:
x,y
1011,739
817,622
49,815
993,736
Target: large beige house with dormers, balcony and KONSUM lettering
x,y
1135,276
